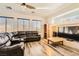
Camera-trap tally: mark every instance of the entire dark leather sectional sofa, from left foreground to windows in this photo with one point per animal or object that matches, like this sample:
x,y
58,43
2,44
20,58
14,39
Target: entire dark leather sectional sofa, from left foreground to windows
x,y
11,42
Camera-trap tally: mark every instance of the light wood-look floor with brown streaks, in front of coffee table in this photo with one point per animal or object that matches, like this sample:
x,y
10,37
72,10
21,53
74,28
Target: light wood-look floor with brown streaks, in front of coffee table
x,y
41,49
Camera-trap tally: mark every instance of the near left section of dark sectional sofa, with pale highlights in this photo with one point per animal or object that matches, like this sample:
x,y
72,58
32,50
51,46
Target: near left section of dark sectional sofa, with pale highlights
x,y
6,48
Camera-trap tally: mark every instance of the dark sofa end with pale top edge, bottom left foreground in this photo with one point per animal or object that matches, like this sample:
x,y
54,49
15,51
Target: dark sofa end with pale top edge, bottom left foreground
x,y
14,50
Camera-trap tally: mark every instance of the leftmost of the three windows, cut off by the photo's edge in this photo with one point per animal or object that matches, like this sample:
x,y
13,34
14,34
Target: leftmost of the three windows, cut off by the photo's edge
x,y
6,24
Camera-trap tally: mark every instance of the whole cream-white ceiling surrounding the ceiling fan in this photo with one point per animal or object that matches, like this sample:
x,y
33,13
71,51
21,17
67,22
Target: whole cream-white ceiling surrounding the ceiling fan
x,y
42,9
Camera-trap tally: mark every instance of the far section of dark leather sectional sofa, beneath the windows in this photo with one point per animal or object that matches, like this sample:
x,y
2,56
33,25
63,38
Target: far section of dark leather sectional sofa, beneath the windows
x,y
28,36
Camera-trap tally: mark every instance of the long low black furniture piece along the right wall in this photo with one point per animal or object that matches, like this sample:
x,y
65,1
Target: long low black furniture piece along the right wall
x,y
66,35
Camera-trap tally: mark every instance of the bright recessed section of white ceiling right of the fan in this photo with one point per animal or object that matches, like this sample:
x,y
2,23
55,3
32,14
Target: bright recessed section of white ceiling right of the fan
x,y
45,5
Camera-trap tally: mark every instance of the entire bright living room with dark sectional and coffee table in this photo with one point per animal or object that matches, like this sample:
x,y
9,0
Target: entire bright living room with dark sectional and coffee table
x,y
31,29
